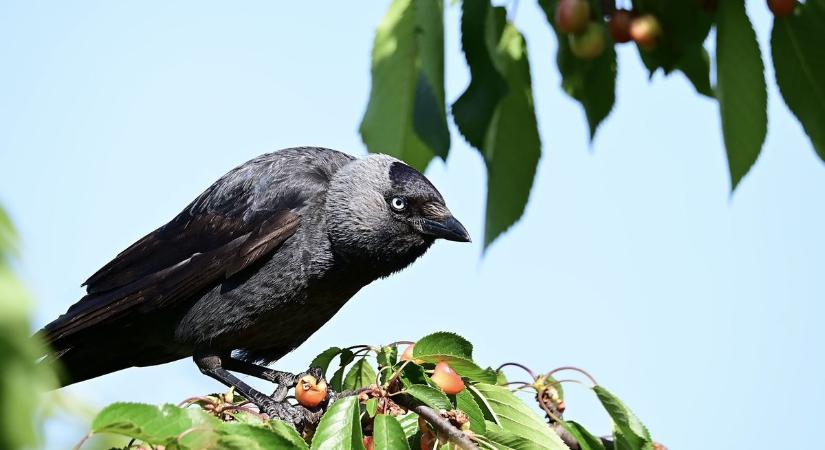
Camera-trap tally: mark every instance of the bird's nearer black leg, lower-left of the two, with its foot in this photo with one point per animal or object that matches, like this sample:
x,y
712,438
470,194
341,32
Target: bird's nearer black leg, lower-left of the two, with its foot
x,y
213,365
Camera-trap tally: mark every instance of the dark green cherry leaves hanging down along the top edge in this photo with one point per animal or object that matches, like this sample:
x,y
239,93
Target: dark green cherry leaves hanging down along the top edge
x,y
495,114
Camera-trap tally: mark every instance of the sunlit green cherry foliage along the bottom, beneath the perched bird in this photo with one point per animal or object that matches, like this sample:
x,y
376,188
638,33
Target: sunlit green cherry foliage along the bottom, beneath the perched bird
x,y
489,411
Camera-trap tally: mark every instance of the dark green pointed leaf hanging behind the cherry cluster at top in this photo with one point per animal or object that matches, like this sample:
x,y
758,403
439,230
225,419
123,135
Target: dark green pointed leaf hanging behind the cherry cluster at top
x,y
592,83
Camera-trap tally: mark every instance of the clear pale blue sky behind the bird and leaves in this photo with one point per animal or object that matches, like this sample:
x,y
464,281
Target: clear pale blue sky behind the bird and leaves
x,y
701,309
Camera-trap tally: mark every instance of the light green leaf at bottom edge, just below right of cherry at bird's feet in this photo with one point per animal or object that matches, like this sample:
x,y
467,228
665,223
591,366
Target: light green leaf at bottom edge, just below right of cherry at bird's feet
x,y
340,427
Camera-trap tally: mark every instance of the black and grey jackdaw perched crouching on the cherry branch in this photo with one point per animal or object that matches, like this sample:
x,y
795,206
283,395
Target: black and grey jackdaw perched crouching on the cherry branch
x,y
251,268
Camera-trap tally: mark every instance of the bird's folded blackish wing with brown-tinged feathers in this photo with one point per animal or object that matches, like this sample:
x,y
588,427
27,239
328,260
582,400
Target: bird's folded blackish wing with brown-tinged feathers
x,y
237,221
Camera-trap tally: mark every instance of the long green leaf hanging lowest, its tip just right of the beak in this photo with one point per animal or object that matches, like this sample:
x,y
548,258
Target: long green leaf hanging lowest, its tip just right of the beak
x,y
512,146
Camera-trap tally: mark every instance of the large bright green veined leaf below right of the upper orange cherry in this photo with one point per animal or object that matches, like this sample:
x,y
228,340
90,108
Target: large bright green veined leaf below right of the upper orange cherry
x,y
508,411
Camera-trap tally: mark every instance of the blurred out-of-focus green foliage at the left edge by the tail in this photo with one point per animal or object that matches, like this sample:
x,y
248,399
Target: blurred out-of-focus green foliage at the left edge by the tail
x,y
20,377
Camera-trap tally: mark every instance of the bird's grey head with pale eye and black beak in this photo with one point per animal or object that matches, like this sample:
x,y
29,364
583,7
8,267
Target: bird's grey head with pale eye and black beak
x,y
386,211
